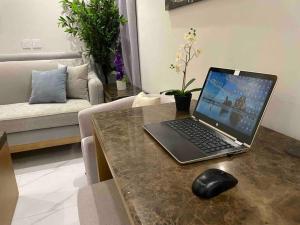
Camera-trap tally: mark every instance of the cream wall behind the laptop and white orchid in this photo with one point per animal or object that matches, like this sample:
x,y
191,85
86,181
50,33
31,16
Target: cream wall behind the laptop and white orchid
x,y
254,35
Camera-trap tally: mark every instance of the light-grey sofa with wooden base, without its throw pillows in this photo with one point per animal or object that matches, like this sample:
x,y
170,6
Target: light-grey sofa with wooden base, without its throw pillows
x,y
35,126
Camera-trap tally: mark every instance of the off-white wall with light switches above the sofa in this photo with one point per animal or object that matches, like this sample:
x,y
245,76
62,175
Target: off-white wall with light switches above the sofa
x,y
21,19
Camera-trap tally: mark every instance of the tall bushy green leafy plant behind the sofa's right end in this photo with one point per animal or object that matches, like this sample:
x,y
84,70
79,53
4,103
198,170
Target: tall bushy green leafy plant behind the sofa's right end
x,y
97,24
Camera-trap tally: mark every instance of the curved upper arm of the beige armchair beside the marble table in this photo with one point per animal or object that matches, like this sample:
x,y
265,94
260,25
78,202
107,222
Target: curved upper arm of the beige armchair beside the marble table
x,y
85,116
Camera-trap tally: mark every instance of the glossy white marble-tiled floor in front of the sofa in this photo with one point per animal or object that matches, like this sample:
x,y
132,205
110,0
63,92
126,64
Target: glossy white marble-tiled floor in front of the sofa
x,y
48,182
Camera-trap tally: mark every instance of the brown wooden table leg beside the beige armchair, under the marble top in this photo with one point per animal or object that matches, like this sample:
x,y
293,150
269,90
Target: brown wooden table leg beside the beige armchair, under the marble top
x,y
104,172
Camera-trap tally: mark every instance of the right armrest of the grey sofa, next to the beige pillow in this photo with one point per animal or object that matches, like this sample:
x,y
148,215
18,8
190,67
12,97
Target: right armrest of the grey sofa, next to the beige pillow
x,y
95,89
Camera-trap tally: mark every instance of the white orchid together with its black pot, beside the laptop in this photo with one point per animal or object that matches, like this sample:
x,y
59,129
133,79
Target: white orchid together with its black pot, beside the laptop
x,y
184,56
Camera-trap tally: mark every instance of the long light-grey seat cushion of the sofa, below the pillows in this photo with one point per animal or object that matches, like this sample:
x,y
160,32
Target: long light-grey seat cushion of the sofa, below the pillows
x,y
23,116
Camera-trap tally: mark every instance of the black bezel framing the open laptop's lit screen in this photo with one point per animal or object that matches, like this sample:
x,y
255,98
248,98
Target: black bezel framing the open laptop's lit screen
x,y
232,132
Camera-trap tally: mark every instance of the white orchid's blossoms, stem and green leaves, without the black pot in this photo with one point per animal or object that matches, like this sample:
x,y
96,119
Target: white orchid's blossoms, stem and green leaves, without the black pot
x,y
183,57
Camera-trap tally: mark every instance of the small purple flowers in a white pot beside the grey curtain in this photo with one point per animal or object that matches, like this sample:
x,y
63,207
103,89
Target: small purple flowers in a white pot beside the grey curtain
x,y
121,78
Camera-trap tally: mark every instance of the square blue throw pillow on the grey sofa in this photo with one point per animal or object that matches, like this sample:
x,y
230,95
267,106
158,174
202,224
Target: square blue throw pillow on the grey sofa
x,y
48,86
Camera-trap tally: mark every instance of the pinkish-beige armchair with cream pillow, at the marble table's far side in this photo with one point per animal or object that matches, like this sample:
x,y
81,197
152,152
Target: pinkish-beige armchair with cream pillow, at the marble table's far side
x,y
86,131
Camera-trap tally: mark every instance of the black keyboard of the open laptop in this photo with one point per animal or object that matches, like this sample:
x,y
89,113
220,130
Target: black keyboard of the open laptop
x,y
199,135
